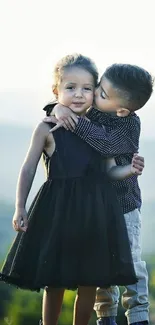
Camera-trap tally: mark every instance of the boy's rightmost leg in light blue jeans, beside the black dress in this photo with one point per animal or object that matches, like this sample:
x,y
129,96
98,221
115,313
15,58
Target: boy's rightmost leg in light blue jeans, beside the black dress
x,y
135,298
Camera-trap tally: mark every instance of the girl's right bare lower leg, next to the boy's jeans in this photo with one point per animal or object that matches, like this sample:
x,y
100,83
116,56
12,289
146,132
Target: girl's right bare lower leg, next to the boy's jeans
x,y
83,305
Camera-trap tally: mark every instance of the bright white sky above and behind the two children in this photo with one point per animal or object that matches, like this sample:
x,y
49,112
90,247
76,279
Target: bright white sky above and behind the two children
x,y
35,34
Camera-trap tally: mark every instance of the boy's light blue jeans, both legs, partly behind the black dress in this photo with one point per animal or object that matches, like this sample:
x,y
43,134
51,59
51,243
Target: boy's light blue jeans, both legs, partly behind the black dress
x,y
135,297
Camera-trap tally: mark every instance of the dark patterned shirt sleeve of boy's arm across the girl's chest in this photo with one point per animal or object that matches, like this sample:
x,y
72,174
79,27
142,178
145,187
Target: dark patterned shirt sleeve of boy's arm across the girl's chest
x,y
123,140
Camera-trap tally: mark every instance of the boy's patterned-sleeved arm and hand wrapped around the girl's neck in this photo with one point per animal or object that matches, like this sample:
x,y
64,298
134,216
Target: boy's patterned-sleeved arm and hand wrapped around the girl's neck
x,y
123,140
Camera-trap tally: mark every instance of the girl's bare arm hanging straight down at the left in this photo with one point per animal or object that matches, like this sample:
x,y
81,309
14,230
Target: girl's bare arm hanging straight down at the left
x,y
27,173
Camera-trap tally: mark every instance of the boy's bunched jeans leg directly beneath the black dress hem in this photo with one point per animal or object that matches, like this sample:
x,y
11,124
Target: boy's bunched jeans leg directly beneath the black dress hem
x,y
106,303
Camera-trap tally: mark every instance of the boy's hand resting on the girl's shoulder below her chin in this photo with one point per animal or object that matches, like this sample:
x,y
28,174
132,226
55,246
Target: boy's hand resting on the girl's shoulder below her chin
x,y
62,116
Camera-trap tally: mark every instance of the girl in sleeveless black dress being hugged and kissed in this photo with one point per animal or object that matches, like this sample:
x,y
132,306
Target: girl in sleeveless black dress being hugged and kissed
x,y
75,217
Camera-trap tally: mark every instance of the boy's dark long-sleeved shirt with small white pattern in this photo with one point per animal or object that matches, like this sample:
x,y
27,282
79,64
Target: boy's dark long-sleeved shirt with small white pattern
x,y
117,137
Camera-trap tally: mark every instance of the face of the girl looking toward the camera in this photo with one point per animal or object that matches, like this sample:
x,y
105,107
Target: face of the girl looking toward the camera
x,y
76,90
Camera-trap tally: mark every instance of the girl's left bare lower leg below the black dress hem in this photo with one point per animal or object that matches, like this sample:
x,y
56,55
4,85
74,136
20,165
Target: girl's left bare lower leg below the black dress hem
x,y
52,302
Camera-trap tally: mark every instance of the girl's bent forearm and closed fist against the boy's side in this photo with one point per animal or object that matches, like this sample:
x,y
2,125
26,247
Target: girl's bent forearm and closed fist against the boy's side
x,y
121,172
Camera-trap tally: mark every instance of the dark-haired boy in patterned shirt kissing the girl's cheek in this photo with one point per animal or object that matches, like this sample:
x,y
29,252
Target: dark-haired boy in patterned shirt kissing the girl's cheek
x,y
114,131
